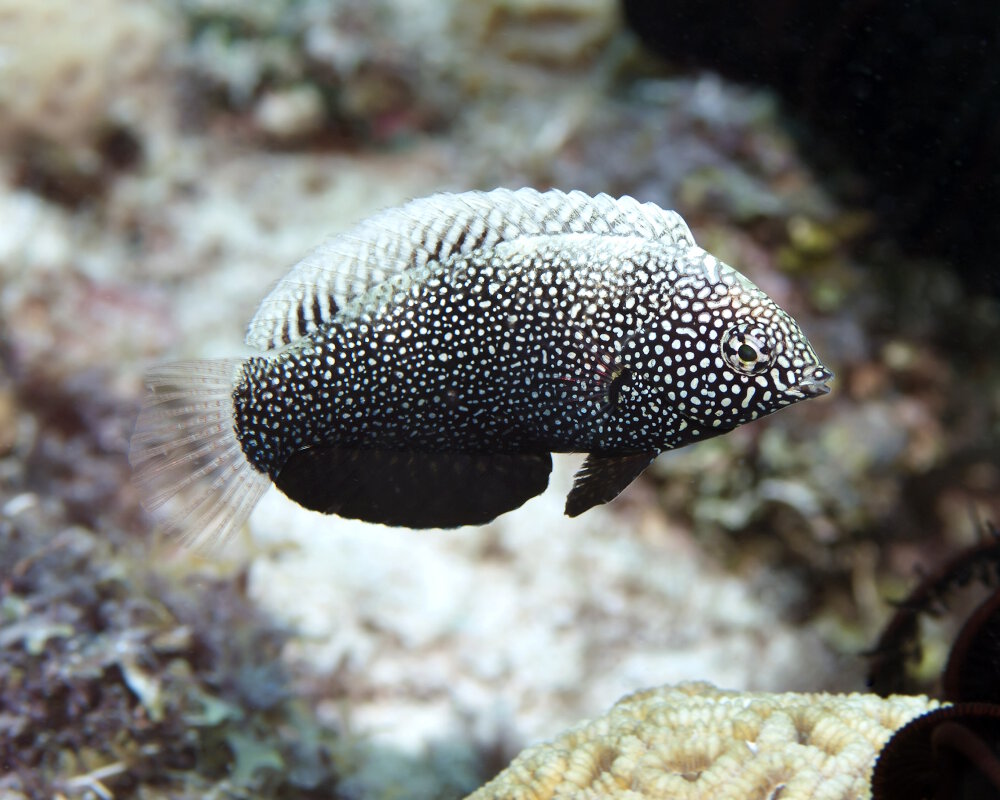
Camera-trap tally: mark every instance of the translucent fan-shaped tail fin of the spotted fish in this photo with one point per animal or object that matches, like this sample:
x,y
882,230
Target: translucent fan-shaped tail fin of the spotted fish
x,y
189,467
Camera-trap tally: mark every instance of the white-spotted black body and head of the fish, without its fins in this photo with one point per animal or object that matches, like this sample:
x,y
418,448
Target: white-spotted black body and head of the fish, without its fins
x,y
564,341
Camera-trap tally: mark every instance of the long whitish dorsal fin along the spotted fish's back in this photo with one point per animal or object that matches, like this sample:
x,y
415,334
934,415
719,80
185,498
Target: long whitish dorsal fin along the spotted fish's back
x,y
433,229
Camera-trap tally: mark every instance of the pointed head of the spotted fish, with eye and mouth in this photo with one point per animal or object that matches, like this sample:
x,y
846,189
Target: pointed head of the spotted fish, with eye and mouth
x,y
750,357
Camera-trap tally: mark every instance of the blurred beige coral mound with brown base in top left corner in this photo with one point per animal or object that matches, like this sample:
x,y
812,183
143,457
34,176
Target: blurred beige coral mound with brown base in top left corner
x,y
81,87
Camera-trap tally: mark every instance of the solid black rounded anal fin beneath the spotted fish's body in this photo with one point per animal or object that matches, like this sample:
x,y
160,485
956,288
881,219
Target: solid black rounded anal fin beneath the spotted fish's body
x,y
412,489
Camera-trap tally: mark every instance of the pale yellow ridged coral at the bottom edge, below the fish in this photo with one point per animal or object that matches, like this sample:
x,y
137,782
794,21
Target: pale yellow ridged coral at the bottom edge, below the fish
x,y
696,741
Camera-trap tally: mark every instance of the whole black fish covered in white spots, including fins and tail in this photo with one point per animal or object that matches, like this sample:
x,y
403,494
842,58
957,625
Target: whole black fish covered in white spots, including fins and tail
x,y
420,369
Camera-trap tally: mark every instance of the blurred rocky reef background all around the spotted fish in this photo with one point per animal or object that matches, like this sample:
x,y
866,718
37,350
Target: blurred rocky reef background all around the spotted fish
x,y
163,163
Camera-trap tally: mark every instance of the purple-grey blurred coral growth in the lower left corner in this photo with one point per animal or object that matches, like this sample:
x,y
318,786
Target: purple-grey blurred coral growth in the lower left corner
x,y
116,679
